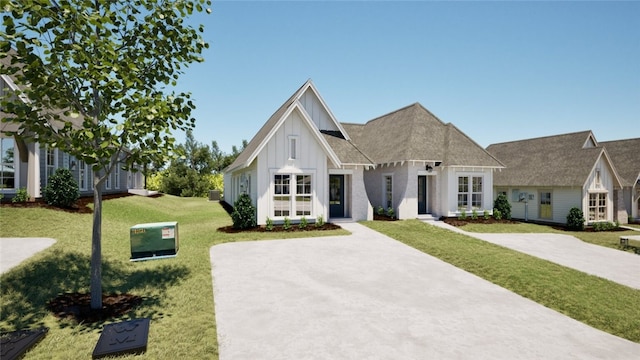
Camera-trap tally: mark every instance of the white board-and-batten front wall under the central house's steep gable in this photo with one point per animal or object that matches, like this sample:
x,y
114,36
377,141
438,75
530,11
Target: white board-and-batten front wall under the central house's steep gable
x,y
274,159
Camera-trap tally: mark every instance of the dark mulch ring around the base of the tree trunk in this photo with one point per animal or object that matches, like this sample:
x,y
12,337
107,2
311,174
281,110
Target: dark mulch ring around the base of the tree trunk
x,y
77,306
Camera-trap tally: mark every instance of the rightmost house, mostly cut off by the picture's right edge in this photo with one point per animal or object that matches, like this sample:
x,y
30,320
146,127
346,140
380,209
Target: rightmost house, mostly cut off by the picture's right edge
x,y
625,155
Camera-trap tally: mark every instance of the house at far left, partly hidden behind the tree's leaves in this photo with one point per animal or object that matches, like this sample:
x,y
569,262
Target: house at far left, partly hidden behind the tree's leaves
x,y
27,164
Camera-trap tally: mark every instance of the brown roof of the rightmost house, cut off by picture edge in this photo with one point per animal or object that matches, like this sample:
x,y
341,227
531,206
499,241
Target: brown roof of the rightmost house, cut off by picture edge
x,y
625,155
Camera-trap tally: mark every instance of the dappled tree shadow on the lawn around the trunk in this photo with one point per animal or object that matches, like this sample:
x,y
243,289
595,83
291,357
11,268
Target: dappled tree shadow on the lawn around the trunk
x,y
25,291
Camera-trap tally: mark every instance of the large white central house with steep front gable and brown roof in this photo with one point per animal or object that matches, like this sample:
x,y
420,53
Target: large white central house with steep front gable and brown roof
x,y
303,162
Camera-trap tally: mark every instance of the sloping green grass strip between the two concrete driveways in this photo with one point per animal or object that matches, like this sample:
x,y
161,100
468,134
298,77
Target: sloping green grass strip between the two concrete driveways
x,y
600,303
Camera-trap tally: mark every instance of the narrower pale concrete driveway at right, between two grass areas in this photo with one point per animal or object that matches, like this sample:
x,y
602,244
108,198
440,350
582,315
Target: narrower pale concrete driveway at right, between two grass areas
x,y
615,265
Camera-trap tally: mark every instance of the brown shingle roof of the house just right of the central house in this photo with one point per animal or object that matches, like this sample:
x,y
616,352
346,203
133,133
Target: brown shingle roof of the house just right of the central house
x,y
559,160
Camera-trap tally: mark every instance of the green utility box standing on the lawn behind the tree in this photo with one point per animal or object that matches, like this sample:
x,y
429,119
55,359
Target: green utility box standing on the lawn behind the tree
x,y
154,240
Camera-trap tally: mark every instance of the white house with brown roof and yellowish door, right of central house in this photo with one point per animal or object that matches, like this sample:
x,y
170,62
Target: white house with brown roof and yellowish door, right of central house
x,y
545,177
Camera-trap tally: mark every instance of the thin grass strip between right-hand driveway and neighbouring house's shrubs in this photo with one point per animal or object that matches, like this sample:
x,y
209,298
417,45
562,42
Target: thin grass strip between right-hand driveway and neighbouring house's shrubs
x,y
603,238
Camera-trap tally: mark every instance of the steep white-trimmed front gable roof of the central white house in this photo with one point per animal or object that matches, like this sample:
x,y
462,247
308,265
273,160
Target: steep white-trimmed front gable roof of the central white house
x,y
274,122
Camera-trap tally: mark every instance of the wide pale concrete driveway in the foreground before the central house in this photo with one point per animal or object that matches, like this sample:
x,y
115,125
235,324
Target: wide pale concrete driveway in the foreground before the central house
x,y
367,296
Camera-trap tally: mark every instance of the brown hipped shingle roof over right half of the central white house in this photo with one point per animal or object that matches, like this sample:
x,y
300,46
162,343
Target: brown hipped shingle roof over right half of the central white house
x,y
413,133
